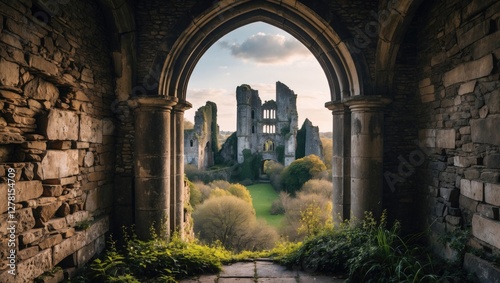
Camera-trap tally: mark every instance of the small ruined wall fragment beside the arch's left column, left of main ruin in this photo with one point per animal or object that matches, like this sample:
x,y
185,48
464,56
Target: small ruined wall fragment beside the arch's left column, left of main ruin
x,y
200,143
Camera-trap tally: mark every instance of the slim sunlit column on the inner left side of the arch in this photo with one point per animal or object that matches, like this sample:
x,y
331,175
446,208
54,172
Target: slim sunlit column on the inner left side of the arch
x,y
178,192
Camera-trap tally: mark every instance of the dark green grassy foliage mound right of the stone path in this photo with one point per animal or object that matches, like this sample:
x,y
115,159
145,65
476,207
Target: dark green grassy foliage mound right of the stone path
x,y
367,253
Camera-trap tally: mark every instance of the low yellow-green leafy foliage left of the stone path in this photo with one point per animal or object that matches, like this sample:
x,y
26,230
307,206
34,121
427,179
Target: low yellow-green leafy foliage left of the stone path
x,y
156,260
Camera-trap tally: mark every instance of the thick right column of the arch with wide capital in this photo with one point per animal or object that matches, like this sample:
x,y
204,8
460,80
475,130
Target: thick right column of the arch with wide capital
x,y
367,119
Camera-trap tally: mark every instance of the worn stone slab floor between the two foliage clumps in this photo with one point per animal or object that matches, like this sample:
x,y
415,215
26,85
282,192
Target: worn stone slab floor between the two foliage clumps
x,y
261,271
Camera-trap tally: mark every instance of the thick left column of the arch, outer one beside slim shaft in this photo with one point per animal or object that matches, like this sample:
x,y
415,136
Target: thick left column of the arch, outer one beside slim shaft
x,y
152,165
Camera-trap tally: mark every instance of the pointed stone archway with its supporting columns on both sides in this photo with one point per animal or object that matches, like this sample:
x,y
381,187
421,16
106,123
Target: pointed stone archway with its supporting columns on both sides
x,y
355,114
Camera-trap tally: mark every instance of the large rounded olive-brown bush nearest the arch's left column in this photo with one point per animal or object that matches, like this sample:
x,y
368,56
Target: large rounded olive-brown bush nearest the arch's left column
x,y
232,221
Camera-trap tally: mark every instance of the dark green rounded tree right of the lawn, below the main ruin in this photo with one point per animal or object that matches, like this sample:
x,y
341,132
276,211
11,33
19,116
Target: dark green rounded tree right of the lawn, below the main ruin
x,y
301,171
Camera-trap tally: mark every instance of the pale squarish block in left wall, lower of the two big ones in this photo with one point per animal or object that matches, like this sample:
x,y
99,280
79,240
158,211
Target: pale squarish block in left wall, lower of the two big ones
x,y
58,164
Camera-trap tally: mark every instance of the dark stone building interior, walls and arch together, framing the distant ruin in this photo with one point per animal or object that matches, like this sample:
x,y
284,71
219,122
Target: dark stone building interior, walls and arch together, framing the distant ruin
x,y
93,94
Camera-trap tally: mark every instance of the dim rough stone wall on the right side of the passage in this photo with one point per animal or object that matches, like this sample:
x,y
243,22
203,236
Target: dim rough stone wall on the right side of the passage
x,y
458,116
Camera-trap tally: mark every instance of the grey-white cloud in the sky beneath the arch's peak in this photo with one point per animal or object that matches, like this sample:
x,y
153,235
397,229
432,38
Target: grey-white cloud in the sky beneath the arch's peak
x,y
267,48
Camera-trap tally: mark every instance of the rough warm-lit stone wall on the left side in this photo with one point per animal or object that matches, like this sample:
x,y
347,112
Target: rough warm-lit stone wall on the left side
x,y
56,135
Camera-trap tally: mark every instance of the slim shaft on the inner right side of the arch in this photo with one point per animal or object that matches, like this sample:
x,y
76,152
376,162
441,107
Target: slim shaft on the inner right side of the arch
x,y
341,161
